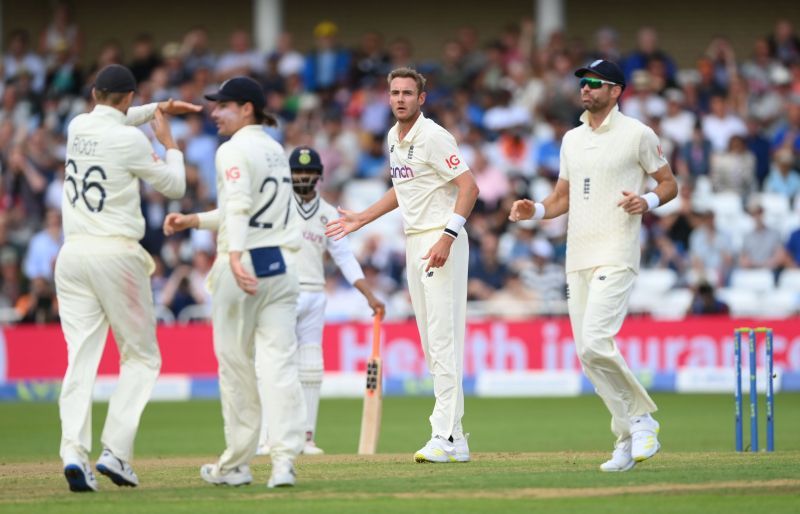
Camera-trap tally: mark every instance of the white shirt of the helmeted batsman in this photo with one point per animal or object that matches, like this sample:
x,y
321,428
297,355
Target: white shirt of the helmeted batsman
x,y
314,215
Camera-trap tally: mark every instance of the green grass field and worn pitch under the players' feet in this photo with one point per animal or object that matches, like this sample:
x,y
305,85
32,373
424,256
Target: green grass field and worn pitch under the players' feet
x,y
532,454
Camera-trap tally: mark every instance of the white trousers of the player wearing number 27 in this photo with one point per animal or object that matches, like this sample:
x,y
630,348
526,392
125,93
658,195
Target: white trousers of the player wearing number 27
x,y
257,327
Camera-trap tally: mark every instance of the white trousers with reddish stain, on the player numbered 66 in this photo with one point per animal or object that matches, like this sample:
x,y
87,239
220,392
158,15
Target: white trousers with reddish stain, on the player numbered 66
x,y
102,282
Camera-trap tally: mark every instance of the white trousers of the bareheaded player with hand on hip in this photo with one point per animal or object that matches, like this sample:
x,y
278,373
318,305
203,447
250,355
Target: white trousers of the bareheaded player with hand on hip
x,y
439,298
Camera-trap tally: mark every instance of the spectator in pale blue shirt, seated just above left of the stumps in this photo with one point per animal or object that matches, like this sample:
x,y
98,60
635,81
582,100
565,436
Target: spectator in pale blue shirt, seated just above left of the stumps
x,y
710,250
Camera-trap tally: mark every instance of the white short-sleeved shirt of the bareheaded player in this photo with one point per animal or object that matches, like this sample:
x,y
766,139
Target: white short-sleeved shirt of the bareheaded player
x,y
422,166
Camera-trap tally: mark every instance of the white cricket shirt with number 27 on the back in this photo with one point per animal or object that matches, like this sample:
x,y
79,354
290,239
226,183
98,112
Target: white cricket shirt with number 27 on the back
x,y
256,205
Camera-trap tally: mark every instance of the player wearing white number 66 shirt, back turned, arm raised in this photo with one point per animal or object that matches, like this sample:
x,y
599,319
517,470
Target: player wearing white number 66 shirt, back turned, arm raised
x,y
102,273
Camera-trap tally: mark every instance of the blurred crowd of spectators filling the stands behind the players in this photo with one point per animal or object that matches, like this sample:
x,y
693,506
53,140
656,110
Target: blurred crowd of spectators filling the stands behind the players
x,y
729,124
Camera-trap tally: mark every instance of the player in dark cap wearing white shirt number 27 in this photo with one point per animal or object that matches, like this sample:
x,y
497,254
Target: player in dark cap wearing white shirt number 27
x,y
254,286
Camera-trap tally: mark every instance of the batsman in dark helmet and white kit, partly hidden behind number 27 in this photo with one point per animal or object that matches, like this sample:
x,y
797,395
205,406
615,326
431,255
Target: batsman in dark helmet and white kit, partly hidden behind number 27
x,y
314,213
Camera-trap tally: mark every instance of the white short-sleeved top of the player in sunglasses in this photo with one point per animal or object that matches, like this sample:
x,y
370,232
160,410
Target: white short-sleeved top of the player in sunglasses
x,y
600,164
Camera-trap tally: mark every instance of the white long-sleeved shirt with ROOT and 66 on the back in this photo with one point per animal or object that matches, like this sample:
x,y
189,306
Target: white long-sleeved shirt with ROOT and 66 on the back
x,y
106,157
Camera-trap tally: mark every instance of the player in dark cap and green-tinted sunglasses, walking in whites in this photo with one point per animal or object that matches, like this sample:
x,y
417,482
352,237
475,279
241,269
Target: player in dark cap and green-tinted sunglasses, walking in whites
x,y
604,165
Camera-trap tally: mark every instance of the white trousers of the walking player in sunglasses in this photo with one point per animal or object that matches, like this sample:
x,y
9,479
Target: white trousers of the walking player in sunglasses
x,y
598,302
